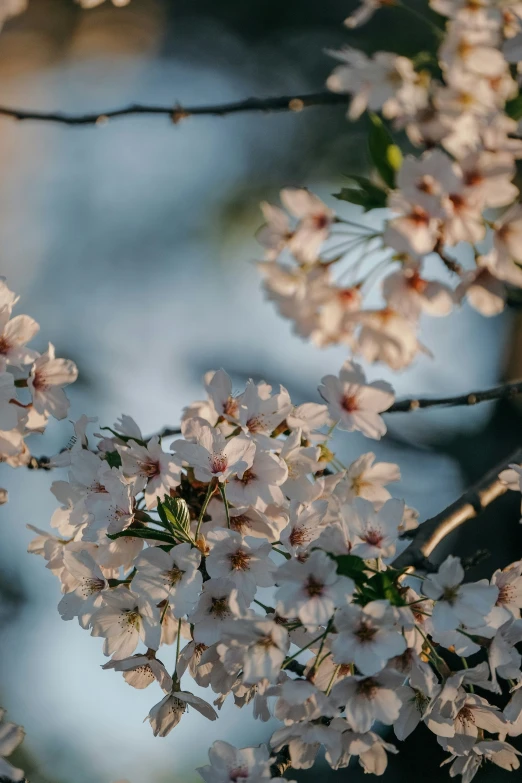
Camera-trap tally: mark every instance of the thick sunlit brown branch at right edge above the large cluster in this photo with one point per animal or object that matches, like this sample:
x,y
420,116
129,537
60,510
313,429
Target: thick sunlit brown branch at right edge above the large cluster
x,y
430,534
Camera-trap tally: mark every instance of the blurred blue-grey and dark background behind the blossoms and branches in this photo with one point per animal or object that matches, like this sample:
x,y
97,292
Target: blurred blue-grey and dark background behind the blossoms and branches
x,y
132,244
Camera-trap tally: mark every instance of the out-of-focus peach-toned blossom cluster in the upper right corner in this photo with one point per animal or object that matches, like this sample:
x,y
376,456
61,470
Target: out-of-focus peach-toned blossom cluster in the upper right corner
x,y
460,189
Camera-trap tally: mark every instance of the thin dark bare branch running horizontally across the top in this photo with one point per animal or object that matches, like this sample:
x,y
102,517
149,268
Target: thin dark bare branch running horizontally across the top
x,y
176,113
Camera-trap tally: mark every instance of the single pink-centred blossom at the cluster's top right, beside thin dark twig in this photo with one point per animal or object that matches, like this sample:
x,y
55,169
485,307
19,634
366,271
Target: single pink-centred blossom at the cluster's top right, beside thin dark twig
x,y
355,404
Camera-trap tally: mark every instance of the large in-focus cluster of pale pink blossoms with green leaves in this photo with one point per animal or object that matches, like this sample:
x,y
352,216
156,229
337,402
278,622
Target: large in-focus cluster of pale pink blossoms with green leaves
x,y
270,567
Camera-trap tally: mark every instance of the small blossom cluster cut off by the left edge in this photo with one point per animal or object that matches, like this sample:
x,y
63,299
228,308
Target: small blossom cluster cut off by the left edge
x,y
31,384
